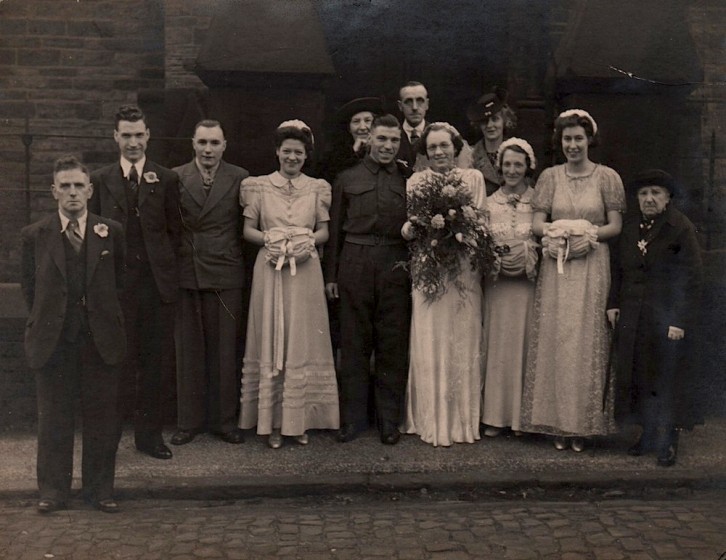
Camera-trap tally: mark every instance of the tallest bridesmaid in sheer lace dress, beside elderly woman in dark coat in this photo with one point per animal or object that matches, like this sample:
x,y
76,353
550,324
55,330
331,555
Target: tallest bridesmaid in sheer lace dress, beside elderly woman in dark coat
x,y
577,207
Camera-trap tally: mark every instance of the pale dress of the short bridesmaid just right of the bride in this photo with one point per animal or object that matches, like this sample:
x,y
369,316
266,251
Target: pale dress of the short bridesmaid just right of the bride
x,y
508,312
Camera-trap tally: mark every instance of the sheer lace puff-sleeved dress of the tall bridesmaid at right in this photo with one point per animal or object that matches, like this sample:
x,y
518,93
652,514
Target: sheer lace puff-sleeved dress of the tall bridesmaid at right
x,y
565,383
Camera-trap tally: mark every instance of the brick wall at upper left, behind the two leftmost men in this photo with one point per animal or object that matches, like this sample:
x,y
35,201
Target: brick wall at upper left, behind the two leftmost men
x,y
66,66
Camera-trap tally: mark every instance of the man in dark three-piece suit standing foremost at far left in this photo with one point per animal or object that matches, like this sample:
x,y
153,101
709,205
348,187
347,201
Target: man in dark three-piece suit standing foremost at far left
x,y
72,264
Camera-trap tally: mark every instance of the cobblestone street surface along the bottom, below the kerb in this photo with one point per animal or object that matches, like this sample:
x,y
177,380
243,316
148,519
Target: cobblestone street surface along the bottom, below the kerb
x,y
387,526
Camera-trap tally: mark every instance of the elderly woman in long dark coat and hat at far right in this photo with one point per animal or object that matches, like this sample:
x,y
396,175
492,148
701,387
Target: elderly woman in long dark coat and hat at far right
x,y
656,283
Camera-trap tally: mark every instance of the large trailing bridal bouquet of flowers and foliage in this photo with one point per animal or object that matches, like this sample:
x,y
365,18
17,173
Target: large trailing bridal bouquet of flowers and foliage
x,y
450,233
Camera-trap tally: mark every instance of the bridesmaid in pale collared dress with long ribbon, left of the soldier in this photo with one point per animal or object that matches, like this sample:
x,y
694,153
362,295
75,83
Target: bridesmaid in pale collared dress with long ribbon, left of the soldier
x,y
288,378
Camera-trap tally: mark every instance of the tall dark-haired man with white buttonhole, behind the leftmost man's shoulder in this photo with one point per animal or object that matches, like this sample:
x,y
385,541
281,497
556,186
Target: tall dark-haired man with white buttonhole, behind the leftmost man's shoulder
x,y
144,198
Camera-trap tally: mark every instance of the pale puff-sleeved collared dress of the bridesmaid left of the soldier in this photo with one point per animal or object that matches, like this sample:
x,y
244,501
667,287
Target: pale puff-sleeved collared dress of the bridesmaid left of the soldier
x,y
287,318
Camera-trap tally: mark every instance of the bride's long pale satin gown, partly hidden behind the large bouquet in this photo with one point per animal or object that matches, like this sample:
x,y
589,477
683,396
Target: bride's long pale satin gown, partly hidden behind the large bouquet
x,y
443,395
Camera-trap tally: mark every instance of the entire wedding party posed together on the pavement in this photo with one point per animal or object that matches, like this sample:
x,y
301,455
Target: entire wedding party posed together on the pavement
x,y
141,261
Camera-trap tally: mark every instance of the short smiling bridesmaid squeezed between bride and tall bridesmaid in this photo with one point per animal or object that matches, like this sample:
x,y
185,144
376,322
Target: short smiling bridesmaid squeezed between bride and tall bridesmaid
x,y
509,294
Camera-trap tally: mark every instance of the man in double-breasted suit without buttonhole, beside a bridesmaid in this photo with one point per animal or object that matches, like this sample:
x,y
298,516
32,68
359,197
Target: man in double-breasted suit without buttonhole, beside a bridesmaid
x,y
209,314
